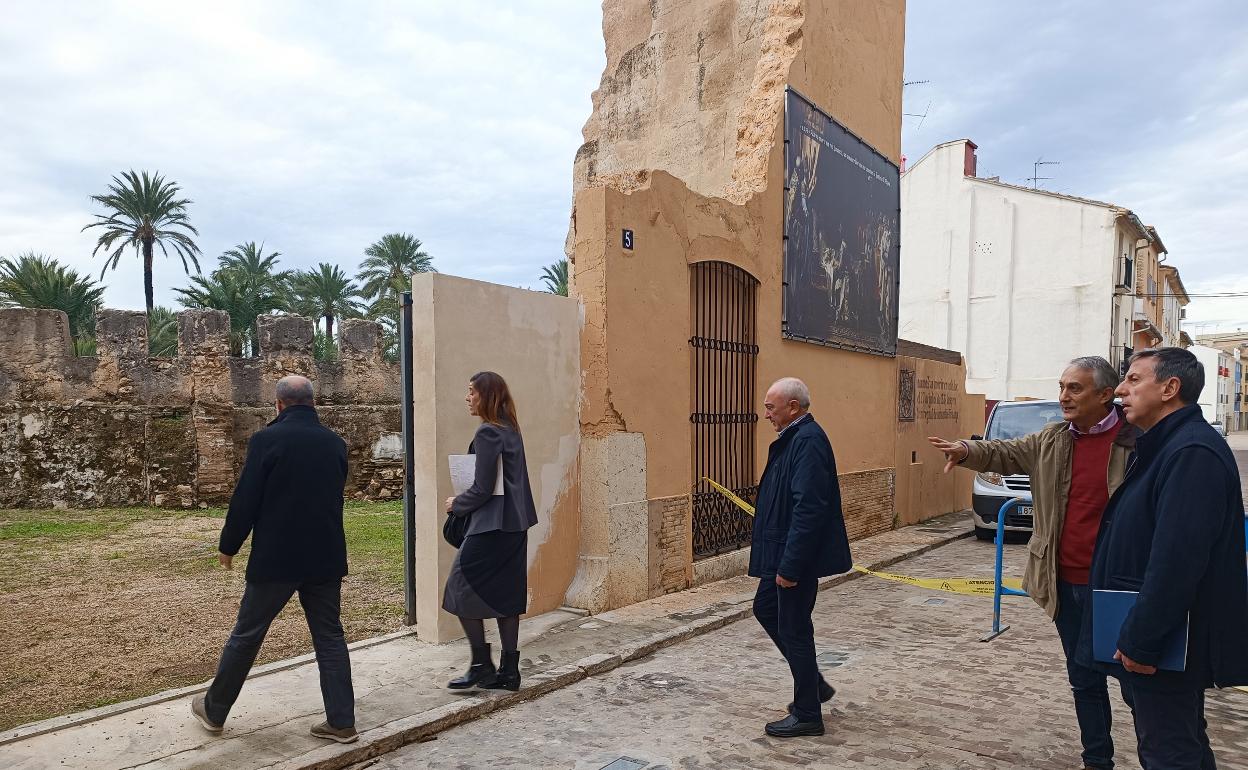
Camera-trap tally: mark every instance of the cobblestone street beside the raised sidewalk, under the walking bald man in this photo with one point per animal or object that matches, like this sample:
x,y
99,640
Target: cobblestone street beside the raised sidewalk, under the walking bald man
x,y
915,690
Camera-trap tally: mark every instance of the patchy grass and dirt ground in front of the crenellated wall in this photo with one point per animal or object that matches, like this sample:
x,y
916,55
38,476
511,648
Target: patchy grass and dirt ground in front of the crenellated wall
x,y
110,605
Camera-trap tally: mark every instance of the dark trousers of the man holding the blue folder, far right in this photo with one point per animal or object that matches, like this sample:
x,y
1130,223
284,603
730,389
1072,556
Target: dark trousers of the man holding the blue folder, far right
x,y
1170,729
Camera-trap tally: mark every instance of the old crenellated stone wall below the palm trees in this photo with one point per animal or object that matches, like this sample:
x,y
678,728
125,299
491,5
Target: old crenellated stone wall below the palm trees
x,y
123,429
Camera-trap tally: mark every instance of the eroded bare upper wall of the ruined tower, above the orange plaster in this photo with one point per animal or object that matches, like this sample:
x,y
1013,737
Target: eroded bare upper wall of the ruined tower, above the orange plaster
x,y
693,88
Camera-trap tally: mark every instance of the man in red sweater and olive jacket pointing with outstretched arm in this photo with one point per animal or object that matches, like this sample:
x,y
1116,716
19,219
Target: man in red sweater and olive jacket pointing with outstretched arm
x,y
1075,466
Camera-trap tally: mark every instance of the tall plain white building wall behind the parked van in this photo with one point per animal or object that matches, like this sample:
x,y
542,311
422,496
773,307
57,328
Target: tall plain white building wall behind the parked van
x,y
1018,280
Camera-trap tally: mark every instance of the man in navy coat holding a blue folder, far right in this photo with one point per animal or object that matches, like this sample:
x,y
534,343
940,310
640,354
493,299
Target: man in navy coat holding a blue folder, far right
x,y
1174,532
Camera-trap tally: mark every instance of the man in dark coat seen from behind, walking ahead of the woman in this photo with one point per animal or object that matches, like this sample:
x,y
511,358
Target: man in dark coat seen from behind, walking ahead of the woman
x,y
289,499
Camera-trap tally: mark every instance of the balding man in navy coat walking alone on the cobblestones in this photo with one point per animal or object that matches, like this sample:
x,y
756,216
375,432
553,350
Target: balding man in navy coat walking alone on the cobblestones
x,y
799,537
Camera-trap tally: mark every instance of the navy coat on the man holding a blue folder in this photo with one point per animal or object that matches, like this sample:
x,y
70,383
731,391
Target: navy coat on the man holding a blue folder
x,y
1175,532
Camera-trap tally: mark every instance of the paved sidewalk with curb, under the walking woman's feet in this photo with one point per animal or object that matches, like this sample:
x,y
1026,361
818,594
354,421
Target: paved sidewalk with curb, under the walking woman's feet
x,y
400,685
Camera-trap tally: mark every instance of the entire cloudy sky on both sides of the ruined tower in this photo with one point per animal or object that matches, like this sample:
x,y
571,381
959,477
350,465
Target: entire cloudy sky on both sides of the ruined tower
x,y
318,128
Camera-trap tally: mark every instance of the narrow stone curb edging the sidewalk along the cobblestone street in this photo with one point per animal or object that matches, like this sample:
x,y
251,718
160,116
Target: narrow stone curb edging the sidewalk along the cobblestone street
x,y
421,728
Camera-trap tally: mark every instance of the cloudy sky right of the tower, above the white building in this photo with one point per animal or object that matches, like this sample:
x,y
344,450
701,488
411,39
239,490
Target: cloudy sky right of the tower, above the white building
x,y
1144,104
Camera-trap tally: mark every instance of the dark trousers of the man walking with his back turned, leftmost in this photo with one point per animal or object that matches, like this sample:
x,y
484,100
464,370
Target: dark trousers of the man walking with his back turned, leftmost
x,y
261,602
